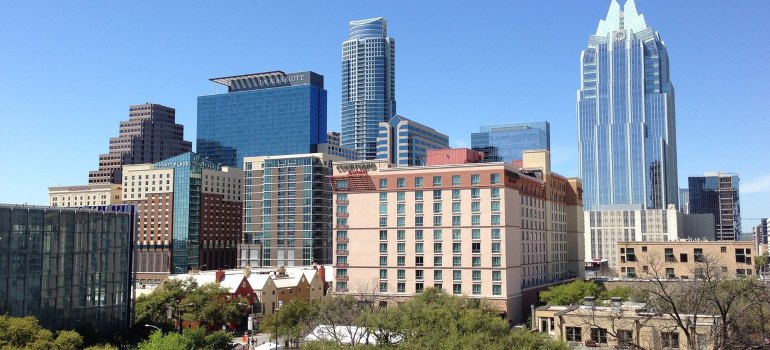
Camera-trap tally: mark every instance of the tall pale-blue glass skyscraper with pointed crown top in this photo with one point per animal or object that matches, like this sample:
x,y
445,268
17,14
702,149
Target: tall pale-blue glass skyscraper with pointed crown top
x,y
625,115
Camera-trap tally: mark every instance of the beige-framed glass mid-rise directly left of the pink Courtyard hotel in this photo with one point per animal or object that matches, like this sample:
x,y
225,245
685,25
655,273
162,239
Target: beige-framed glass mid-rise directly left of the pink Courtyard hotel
x,y
287,210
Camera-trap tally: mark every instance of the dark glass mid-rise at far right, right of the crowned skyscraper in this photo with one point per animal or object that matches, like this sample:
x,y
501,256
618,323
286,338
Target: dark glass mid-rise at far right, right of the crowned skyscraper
x,y
717,193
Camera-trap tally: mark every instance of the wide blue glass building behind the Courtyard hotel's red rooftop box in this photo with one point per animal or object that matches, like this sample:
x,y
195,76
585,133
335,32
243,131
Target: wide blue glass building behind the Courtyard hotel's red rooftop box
x,y
505,143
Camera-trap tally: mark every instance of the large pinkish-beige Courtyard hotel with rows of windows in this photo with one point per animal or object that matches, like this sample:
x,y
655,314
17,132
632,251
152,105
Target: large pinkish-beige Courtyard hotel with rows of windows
x,y
486,230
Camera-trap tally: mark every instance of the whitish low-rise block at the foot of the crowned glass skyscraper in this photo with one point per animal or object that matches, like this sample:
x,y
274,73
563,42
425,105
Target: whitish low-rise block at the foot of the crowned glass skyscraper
x,y
605,228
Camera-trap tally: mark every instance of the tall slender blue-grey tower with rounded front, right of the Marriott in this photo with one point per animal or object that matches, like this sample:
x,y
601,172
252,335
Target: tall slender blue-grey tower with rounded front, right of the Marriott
x,y
368,84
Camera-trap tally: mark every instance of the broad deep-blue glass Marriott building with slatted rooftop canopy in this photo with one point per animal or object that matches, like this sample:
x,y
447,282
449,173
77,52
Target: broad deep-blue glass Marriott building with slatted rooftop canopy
x,y
262,114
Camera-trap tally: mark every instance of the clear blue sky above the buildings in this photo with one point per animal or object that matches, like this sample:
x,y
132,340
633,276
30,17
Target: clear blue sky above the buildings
x,y
70,69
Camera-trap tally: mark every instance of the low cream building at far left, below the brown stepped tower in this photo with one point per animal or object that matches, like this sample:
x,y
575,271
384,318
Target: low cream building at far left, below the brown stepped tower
x,y
84,196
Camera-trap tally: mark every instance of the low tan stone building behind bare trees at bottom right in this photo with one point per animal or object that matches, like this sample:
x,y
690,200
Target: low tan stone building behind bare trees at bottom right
x,y
621,326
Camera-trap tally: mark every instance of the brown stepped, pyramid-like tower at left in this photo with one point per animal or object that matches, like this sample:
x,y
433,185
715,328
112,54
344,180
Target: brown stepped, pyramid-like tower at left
x,y
150,135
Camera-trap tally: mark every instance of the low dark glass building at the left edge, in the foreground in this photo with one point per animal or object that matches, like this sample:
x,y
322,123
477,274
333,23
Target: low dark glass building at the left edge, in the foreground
x,y
67,267
